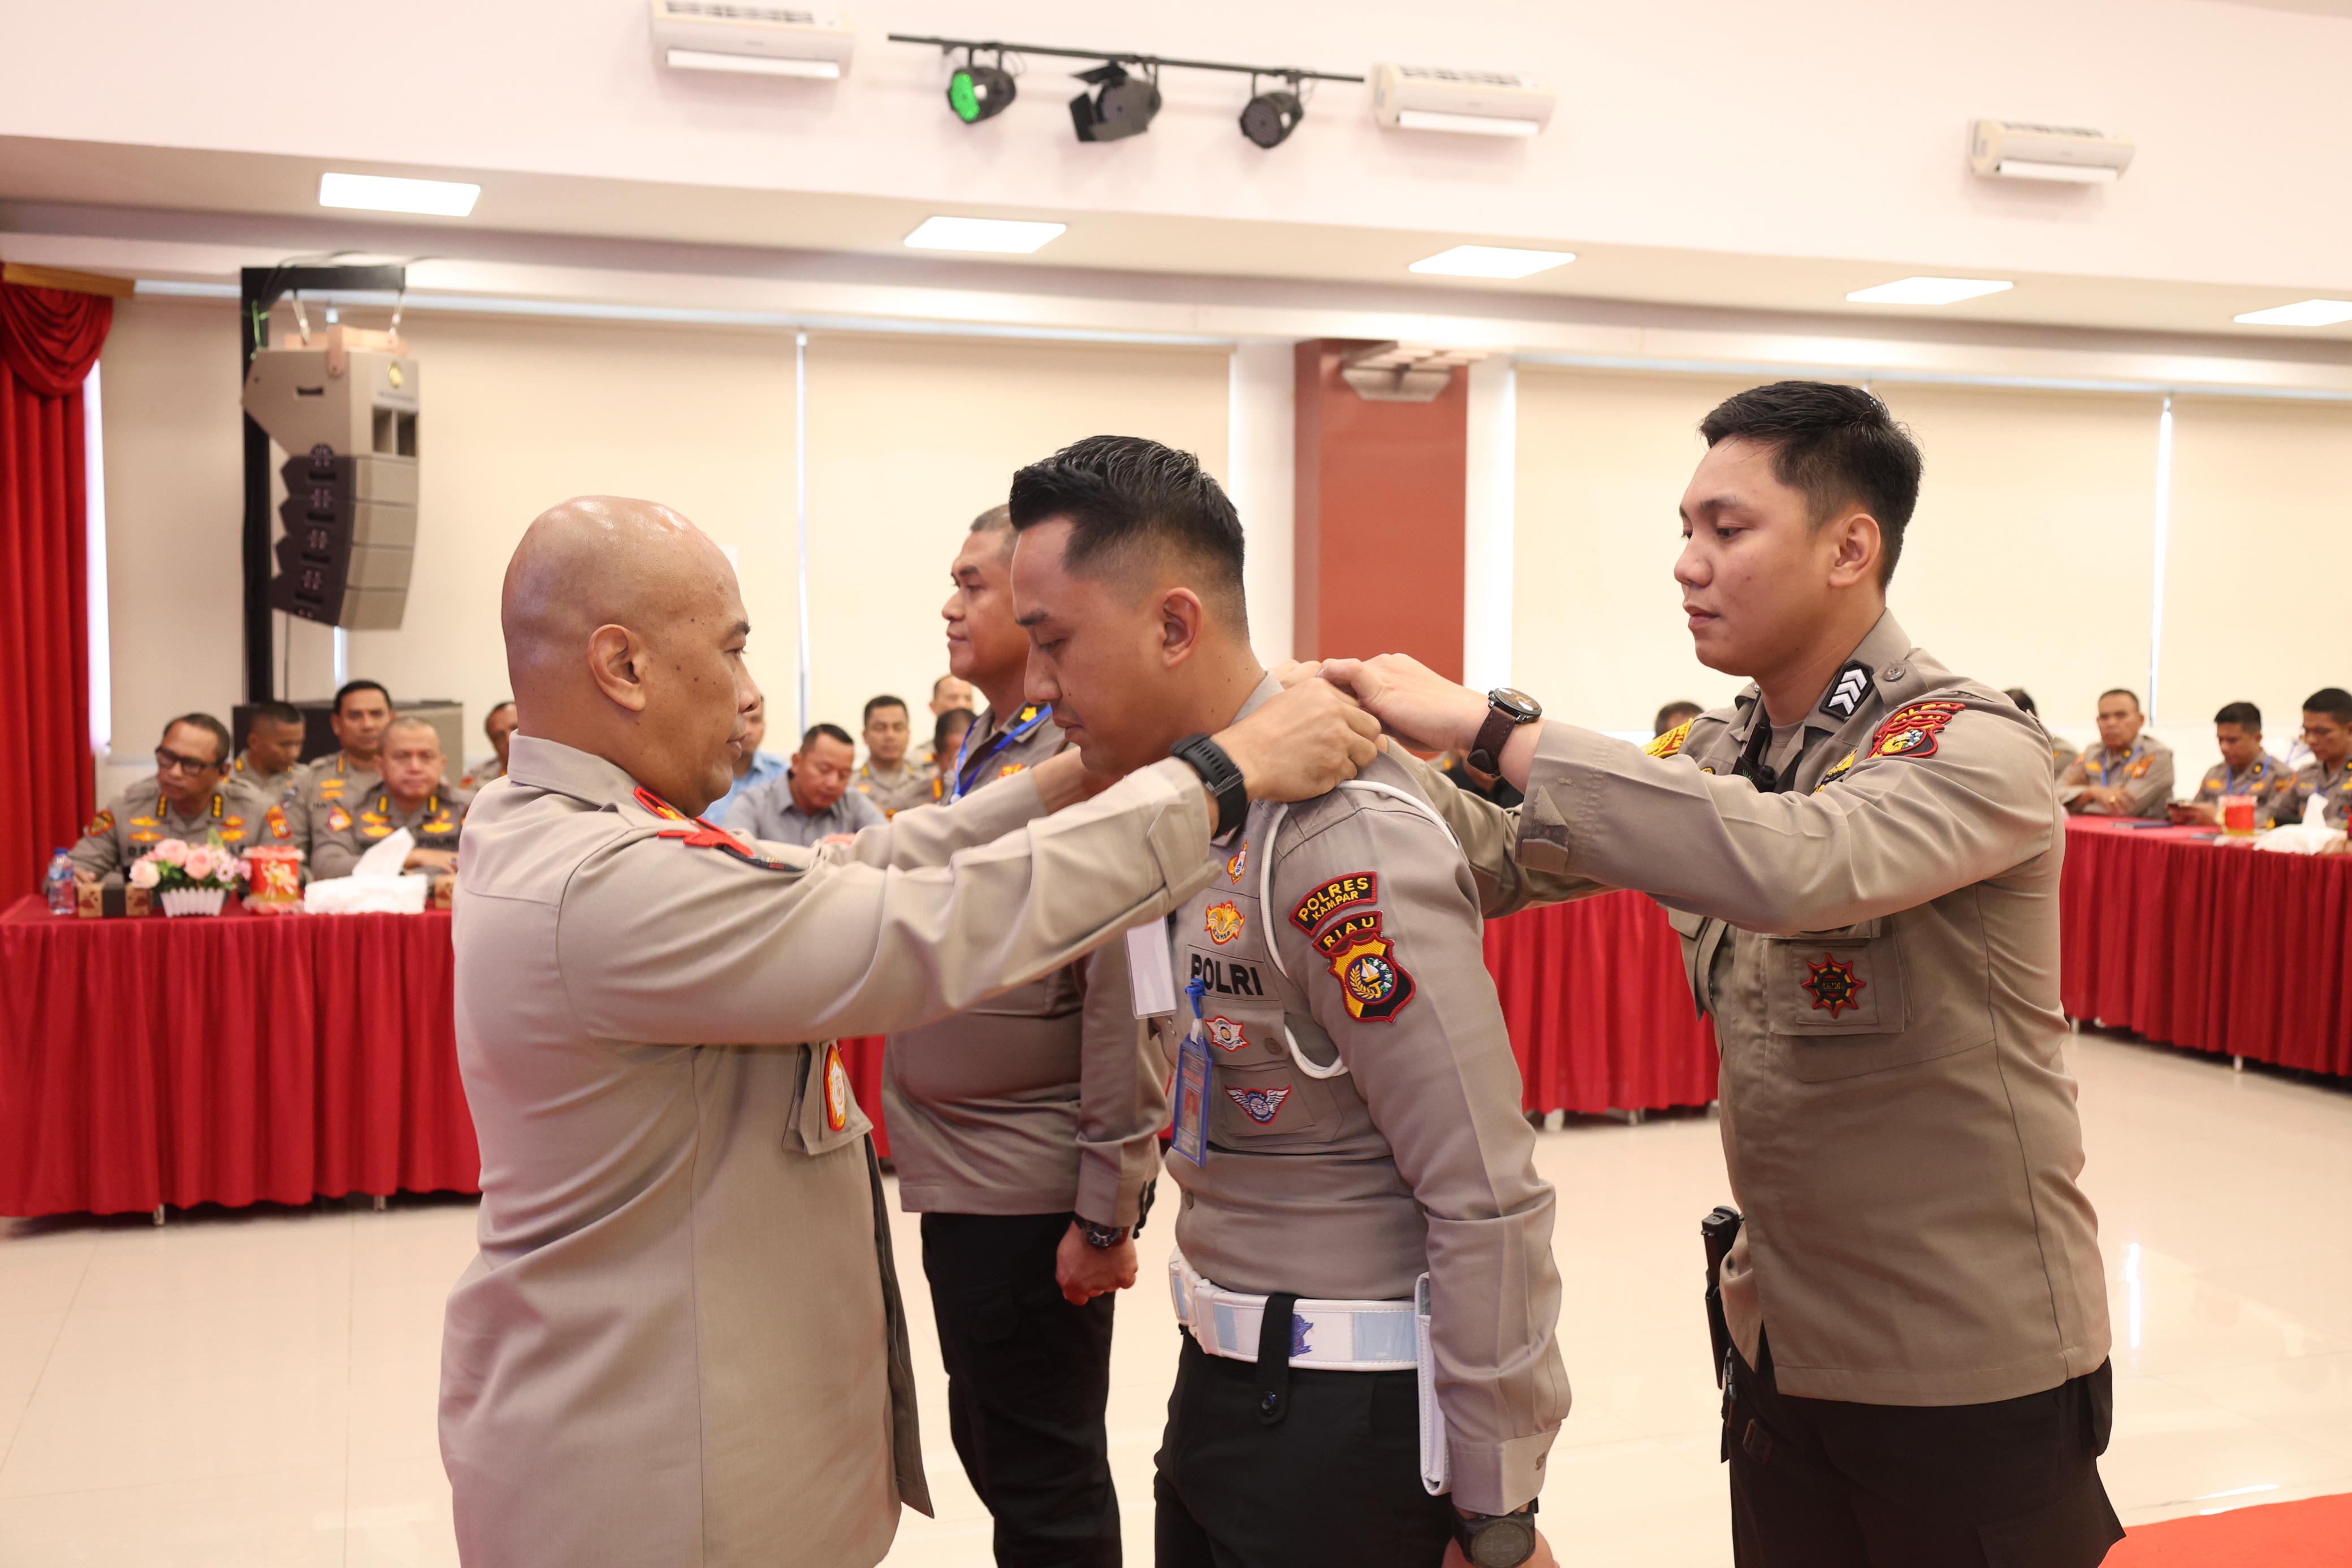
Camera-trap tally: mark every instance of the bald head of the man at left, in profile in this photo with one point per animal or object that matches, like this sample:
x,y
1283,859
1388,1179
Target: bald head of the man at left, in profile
x,y
624,638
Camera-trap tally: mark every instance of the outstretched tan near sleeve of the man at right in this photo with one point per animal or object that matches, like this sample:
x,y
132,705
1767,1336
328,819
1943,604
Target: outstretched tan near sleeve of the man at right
x,y
1890,836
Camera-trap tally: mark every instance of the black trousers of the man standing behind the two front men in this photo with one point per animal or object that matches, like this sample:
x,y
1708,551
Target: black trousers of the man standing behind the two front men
x,y
1029,1376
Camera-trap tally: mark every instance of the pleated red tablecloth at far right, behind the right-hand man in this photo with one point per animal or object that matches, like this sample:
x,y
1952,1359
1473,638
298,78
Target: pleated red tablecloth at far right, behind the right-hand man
x,y
2210,946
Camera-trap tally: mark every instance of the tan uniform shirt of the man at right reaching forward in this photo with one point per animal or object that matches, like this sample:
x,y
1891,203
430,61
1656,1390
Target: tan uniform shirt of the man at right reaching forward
x,y
1878,944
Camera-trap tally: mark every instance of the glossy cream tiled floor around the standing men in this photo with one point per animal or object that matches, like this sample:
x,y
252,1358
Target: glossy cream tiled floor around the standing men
x,y
258,1391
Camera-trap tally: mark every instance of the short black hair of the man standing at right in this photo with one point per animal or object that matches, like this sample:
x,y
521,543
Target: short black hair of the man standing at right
x,y
1833,443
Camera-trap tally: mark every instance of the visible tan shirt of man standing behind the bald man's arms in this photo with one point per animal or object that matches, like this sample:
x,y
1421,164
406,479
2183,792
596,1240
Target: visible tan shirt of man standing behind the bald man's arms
x,y
1043,1099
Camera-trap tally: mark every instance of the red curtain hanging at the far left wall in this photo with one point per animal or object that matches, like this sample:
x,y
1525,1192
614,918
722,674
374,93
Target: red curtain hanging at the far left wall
x,y
48,344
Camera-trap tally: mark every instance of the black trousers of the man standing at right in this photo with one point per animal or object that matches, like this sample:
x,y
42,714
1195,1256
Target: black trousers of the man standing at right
x,y
1833,1485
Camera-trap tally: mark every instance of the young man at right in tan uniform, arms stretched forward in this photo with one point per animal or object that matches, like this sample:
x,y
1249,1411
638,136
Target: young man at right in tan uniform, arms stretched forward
x,y
1862,859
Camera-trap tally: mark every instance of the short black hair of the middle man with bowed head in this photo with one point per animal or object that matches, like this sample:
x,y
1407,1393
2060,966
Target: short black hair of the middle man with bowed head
x,y
1123,495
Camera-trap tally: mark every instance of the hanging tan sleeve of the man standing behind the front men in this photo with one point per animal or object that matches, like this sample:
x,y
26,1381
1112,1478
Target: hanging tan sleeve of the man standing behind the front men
x,y
1121,1092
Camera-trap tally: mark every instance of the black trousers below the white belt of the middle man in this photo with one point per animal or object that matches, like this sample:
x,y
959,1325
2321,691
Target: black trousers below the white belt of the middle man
x,y
1325,1475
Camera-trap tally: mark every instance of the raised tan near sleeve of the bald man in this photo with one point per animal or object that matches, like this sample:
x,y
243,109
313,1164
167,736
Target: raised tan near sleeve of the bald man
x,y
664,942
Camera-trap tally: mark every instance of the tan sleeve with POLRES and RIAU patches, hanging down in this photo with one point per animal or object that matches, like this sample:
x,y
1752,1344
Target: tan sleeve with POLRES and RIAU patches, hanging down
x,y
1438,1076
